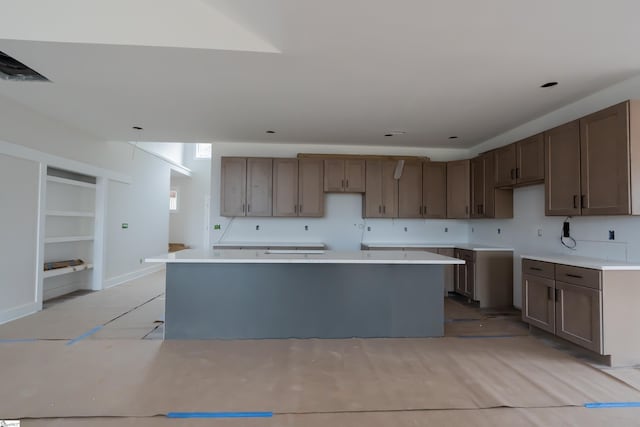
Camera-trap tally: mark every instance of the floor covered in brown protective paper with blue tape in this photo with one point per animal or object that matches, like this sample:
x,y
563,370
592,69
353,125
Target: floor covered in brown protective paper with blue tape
x,y
98,360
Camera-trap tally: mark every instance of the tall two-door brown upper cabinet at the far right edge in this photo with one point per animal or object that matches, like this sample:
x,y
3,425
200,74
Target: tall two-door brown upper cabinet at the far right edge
x,y
591,164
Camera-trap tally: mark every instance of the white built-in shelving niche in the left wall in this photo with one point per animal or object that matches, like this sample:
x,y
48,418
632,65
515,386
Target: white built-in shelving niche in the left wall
x,y
69,231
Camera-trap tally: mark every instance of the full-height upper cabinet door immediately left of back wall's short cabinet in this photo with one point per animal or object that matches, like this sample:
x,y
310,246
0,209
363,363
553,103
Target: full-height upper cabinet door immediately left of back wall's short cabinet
x,y
310,196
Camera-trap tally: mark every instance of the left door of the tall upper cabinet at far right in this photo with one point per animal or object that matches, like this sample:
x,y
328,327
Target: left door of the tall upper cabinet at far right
x,y
562,170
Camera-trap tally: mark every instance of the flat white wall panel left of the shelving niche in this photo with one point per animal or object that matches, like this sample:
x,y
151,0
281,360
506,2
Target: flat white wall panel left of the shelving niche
x,y
19,197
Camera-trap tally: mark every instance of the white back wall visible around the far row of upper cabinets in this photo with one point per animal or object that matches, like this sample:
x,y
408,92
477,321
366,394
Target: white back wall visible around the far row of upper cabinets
x,y
342,227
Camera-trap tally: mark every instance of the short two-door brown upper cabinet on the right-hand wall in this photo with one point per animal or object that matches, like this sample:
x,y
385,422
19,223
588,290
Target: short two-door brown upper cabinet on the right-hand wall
x,y
520,163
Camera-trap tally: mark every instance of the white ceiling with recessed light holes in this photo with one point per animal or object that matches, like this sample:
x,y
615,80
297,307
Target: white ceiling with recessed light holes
x,y
314,71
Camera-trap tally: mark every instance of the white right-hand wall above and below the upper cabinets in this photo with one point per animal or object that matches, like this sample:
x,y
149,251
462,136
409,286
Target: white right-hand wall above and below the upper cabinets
x,y
591,233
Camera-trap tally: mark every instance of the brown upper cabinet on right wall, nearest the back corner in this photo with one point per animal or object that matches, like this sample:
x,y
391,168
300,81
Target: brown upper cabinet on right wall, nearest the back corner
x,y
486,200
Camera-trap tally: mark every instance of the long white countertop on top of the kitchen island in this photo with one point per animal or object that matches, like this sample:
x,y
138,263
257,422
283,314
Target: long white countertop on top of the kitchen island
x,y
251,256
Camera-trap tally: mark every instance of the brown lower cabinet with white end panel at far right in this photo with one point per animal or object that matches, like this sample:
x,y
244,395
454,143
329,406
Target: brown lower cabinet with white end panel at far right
x,y
589,307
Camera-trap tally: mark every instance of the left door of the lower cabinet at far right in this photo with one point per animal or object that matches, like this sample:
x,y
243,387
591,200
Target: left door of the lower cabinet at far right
x,y
538,302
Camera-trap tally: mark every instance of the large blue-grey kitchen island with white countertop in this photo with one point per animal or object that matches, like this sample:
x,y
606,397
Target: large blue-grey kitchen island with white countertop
x,y
253,294
